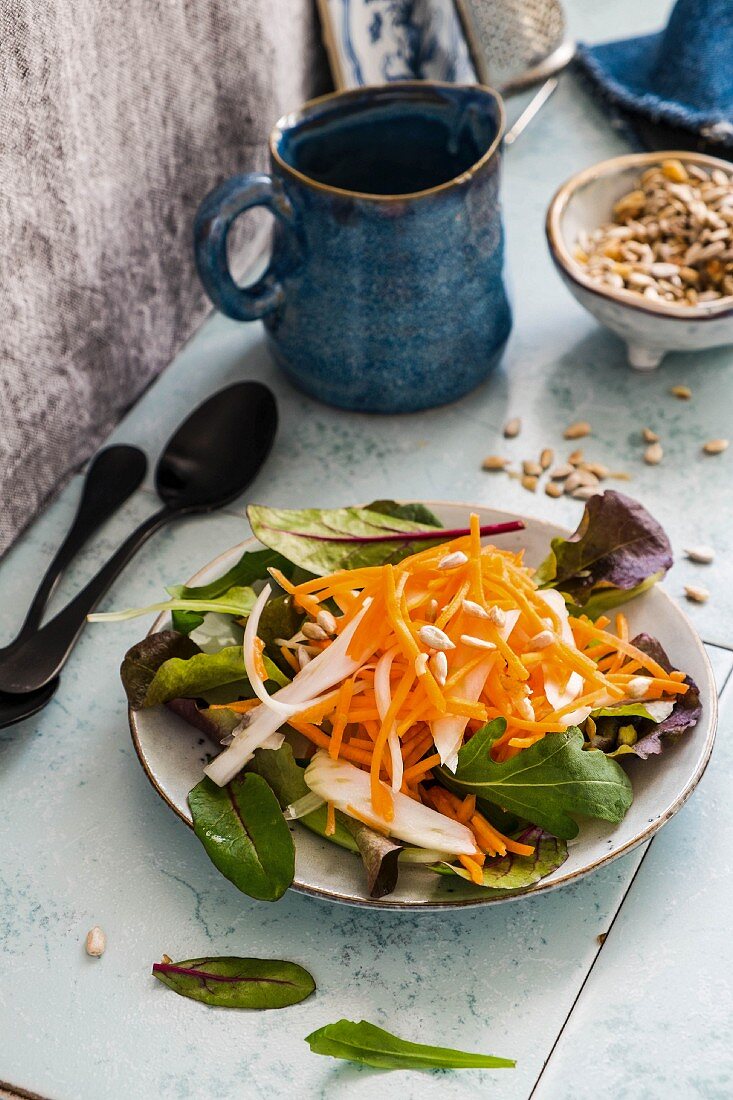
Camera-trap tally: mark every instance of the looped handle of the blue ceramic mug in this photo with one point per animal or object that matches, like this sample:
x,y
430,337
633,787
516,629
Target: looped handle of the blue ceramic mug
x,y
214,219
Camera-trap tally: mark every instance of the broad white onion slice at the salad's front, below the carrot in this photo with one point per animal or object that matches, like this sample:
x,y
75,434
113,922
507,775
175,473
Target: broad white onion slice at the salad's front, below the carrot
x,y
340,783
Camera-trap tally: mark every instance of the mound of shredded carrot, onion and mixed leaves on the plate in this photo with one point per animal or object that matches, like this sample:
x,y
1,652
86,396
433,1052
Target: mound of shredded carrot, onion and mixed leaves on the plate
x,y
428,699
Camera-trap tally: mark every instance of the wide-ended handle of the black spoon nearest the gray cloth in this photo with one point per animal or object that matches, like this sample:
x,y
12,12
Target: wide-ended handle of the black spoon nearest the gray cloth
x,y
113,477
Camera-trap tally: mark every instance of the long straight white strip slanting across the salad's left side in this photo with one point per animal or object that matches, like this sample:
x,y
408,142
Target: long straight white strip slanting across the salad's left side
x,y
326,670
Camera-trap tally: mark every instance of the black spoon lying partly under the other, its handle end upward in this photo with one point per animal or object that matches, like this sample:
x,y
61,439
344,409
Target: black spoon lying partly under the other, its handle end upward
x,y
113,477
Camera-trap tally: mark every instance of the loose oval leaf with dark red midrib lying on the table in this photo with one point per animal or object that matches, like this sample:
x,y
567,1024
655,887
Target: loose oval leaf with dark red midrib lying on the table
x,y
233,983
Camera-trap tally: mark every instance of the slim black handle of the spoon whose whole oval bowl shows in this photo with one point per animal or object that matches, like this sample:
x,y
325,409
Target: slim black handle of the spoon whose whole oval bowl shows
x,y
40,658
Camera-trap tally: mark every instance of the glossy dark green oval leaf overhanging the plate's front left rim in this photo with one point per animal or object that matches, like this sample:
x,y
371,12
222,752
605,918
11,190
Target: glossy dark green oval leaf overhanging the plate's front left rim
x,y
245,834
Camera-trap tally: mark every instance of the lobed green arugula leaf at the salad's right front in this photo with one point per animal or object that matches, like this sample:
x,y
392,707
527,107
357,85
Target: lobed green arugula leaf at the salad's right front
x,y
544,784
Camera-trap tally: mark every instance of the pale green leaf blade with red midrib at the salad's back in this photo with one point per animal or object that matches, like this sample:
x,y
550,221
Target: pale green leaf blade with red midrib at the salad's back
x,y
325,541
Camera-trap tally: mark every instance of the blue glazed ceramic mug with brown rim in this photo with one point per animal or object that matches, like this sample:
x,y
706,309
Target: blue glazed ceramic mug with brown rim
x,y
385,292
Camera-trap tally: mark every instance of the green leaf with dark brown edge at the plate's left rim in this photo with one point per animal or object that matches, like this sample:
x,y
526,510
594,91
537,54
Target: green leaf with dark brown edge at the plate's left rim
x,y
193,676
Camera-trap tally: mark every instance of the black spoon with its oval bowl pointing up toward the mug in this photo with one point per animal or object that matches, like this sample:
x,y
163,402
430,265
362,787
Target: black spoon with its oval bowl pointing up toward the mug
x,y
210,463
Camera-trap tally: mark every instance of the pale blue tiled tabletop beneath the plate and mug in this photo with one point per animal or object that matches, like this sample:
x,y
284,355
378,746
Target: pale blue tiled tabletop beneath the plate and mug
x,y
86,840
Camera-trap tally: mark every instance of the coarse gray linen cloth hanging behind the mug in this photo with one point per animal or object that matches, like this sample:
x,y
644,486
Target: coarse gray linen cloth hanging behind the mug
x,y
117,118
